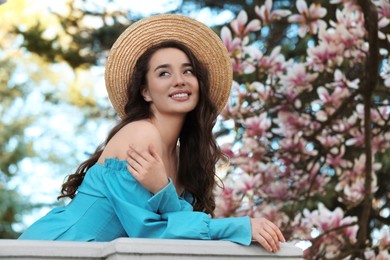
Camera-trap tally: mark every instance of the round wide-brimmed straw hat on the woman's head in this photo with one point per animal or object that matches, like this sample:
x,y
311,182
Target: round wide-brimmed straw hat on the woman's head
x,y
137,38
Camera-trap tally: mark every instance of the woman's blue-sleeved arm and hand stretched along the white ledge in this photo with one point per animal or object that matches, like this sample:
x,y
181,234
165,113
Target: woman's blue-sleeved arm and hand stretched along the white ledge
x,y
140,221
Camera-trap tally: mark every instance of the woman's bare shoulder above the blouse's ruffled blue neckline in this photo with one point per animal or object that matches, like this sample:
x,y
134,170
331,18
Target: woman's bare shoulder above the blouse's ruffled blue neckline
x,y
139,134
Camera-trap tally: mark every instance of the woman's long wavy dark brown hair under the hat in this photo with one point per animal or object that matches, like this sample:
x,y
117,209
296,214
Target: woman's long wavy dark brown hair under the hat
x,y
199,152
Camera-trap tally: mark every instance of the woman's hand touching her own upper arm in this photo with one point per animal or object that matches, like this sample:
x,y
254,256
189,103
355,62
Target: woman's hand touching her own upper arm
x,y
147,168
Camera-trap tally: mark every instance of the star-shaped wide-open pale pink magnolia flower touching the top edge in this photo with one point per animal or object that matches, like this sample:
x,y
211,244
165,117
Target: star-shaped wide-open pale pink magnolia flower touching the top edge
x,y
309,19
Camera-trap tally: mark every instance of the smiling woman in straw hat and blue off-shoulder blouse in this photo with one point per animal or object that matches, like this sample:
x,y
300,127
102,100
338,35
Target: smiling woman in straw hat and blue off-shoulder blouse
x,y
168,77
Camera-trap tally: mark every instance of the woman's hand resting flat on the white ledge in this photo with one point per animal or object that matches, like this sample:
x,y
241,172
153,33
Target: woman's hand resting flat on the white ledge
x,y
267,234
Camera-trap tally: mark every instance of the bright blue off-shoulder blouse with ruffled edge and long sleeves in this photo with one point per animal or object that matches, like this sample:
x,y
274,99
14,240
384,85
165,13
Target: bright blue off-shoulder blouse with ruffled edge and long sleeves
x,y
110,203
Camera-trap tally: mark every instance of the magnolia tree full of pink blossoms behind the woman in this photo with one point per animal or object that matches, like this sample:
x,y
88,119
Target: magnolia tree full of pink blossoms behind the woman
x,y
311,131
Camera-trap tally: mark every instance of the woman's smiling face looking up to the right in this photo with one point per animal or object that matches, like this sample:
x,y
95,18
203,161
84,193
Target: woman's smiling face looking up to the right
x,y
171,84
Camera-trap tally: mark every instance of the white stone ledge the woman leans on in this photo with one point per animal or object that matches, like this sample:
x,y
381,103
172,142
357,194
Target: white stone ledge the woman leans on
x,y
139,248
